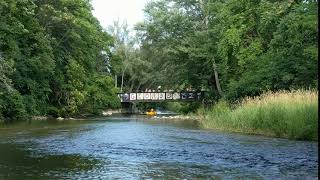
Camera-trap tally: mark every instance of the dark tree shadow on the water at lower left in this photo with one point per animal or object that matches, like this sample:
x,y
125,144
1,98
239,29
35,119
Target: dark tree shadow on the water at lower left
x,y
17,162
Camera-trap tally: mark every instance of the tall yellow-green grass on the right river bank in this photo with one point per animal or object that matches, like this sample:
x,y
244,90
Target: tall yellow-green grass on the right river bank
x,y
291,115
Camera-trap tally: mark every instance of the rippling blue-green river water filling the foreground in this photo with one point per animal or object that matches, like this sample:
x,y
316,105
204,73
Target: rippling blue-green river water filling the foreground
x,y
136,148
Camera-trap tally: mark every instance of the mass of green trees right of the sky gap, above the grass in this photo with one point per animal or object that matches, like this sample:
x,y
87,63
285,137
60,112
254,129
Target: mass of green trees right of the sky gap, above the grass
x,y
241,47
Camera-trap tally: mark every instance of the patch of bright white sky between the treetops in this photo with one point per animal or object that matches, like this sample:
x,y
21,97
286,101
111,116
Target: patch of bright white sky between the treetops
x,y
108,11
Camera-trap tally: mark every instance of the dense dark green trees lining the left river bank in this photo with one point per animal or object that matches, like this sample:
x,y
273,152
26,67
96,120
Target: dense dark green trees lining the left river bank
x,y
54,57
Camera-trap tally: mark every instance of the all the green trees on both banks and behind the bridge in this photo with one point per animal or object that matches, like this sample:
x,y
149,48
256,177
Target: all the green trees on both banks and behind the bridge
x,y
55,59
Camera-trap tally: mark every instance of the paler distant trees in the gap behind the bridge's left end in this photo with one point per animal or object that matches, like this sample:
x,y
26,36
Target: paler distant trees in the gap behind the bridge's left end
x,y
126,59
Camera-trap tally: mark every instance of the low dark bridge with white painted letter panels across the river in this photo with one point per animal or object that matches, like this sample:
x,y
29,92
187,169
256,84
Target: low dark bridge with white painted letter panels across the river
x,y
160,96
